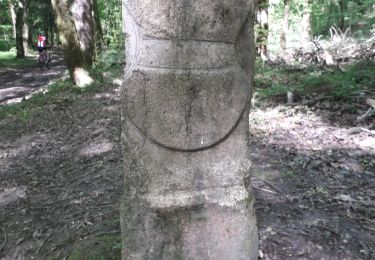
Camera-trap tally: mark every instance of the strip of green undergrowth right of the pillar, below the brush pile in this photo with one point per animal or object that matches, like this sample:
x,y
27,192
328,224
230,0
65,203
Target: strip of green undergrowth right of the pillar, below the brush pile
x,y
353,80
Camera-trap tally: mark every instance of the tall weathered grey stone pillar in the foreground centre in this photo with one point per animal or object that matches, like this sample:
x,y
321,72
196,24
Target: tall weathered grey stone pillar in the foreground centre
x,y
185,130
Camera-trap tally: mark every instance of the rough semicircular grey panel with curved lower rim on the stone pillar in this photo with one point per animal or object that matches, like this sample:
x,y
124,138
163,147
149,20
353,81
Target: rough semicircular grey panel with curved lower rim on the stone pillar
x,y
184,109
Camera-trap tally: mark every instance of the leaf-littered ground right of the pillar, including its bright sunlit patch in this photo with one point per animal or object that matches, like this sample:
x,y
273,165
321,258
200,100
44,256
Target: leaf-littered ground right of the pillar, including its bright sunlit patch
x,y
314,182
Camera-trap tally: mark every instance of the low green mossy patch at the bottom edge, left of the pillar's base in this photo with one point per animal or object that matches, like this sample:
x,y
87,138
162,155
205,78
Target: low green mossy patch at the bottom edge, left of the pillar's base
x,y
106,247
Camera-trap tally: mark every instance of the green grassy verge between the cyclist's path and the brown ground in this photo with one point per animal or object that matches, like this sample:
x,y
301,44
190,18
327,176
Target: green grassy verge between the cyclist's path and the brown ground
x,y
107,68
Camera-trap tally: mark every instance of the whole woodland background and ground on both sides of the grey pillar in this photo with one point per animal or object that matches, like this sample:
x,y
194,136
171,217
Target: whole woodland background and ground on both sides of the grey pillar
x,y
312,129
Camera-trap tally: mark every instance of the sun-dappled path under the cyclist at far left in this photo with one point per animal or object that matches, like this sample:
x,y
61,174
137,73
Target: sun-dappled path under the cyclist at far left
x,y
17,83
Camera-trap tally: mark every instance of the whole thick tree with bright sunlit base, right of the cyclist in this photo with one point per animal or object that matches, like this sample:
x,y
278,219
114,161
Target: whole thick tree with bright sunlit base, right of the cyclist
x,y
76,39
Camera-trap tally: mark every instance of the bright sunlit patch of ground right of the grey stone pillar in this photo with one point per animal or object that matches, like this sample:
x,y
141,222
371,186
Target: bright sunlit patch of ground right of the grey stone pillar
x,y
307,131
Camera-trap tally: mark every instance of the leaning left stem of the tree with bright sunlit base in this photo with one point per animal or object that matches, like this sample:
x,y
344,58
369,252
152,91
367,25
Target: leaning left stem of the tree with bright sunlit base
x,y
74,56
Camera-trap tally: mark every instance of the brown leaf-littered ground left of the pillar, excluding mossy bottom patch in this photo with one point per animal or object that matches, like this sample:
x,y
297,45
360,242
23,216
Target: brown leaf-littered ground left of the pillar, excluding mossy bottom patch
x,y
60,176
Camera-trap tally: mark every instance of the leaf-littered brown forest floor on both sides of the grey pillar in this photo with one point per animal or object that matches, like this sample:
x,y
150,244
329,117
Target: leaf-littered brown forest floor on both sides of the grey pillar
x,y
61,179
